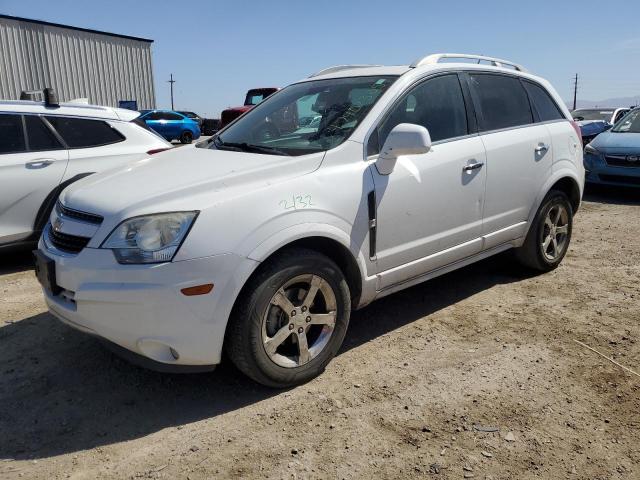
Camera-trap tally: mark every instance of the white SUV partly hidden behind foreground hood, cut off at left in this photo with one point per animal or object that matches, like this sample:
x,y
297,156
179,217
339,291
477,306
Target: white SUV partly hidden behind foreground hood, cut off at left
x,y
45,146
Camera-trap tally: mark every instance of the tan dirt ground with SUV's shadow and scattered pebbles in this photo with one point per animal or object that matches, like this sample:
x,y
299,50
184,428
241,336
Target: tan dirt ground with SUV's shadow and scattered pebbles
x,y
422,375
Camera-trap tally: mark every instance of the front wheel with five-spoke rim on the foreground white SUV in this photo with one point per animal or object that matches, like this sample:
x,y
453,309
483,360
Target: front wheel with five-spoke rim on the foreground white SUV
x,y
265,342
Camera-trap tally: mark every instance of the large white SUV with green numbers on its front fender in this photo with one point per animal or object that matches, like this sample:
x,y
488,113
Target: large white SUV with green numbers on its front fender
x,y
261,241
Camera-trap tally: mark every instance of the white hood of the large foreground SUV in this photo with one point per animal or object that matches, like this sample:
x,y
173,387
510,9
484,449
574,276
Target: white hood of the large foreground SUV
x,y
185,178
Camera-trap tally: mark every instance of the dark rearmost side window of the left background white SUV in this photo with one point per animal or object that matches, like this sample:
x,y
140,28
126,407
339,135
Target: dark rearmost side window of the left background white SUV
x,y
84,133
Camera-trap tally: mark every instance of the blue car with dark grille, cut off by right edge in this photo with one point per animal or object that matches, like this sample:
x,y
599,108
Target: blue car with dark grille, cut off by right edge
x,y
613,157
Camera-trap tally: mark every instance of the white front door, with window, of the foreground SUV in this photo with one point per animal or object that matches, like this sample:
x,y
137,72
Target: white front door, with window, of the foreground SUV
x,y
429,209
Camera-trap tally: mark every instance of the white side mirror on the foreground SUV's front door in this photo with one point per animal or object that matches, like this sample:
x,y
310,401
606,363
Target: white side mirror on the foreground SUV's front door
x,y
404,139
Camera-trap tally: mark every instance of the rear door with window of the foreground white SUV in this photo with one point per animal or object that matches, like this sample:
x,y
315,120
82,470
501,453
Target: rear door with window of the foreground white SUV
x,y
519,154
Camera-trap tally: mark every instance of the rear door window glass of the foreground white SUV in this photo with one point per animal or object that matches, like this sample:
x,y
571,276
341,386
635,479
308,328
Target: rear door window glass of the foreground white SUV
x,y
502,100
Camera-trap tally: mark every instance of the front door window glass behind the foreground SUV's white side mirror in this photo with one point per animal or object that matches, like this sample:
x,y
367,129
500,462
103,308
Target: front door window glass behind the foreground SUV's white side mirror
x,y
437,104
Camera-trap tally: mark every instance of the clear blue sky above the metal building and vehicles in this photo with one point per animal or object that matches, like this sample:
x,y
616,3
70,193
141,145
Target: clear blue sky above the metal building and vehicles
x,y
219,49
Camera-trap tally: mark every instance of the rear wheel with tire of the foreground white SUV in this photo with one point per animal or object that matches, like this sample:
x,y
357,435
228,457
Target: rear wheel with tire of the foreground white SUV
x,y
554,220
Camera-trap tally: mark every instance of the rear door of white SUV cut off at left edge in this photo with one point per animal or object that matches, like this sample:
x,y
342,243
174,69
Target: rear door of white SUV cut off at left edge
x,y
32,163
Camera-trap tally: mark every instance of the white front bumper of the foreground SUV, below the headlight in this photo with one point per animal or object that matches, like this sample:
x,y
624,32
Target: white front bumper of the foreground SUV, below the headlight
x,y
141,308
